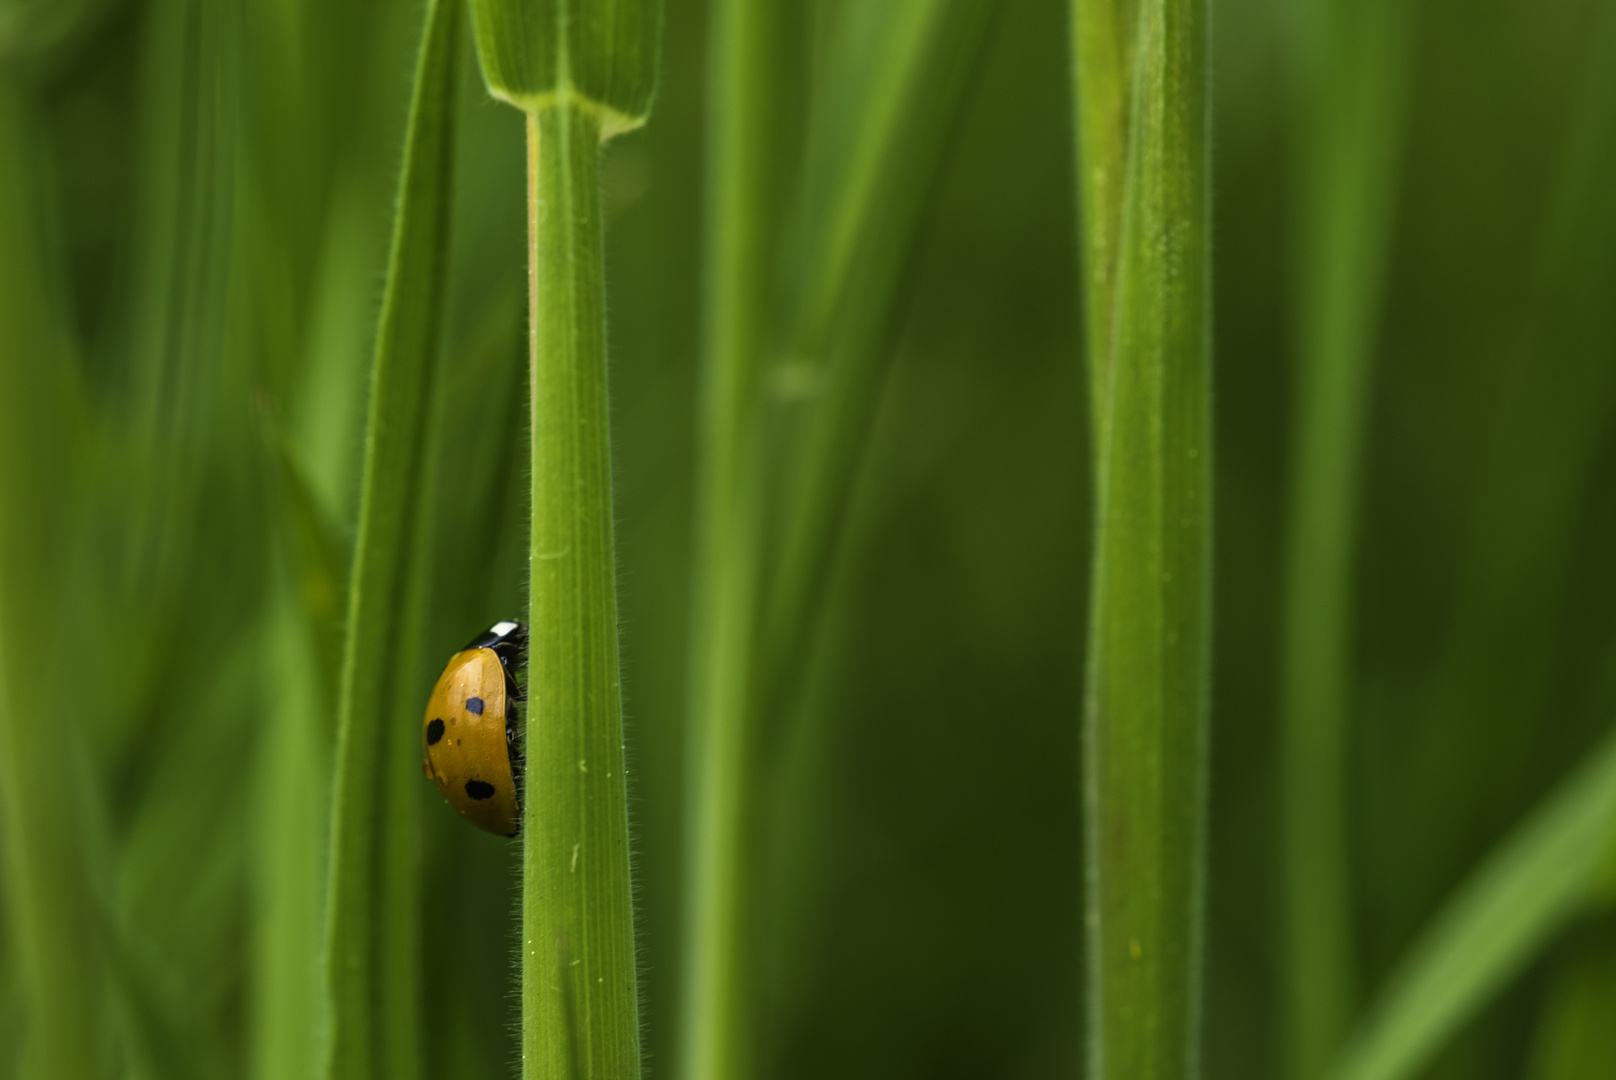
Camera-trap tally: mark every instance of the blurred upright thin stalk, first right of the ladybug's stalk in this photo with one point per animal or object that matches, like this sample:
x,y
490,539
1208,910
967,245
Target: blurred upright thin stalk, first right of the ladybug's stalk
x,y
743,109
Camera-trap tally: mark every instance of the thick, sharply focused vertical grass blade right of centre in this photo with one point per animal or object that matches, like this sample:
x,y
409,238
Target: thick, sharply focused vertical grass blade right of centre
x,y
1150,635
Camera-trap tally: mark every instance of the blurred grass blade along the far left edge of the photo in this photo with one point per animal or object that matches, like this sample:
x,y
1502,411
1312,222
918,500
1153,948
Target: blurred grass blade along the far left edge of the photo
x,y
44,778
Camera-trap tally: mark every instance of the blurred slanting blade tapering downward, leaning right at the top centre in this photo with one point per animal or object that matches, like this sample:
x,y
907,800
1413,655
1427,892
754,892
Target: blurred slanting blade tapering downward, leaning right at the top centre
x,y
899,88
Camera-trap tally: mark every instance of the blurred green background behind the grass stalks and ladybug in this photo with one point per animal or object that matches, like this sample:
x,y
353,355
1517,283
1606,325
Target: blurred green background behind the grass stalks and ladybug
x,y
196,203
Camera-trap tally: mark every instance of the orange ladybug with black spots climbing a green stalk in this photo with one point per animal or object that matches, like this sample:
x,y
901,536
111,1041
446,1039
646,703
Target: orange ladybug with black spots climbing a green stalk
x,y
471,730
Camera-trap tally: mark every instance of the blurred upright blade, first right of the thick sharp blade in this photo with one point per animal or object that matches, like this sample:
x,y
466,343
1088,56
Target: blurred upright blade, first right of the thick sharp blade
x,y
1350,65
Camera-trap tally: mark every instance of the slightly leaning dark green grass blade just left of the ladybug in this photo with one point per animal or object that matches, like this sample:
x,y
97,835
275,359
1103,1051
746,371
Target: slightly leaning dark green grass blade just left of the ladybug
x,y
372,943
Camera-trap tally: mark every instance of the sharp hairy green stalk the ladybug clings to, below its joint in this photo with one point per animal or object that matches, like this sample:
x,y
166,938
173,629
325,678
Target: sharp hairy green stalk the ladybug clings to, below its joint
x,y
579,987
